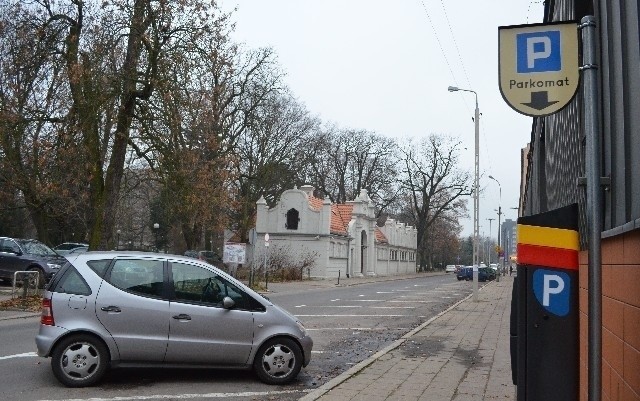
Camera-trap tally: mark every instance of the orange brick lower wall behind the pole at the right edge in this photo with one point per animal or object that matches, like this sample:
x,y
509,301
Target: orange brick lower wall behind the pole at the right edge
x,y
620,318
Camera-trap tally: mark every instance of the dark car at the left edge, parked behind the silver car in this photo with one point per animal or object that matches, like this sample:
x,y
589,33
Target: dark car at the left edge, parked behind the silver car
x,y
18,254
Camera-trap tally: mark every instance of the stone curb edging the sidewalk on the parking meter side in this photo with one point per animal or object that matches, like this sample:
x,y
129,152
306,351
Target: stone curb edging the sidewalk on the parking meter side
x,y
336,381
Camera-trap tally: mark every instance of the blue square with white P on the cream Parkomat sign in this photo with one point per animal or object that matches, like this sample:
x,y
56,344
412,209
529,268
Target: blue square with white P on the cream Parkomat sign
x,y
538,52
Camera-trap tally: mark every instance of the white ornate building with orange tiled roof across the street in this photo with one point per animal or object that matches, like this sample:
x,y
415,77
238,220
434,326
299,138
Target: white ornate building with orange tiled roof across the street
x,y
344,238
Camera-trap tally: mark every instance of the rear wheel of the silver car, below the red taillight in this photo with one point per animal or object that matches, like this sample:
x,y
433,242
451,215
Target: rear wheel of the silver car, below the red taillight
x,y
79,360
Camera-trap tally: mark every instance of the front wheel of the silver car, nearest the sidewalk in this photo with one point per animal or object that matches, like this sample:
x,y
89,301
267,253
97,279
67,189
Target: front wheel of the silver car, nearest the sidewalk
x,y
278,361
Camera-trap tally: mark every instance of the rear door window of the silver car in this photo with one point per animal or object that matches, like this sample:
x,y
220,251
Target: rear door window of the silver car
x,y
144,277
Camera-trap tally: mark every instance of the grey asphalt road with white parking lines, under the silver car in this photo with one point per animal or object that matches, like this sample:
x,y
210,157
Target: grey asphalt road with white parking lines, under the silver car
x,y
348,324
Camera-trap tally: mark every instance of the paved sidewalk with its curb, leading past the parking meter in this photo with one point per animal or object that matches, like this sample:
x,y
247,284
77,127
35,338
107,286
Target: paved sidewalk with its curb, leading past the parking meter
x,y
461,354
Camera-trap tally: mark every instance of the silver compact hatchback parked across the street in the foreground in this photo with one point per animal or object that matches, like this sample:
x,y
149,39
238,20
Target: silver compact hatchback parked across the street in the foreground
x,y
118,309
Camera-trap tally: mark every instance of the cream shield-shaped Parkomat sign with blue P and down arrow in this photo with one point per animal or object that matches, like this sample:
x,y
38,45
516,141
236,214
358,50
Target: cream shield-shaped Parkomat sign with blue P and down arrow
x,y
538,65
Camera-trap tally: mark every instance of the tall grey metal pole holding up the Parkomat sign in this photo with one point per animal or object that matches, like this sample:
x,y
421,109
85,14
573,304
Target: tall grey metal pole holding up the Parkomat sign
x,y
594,203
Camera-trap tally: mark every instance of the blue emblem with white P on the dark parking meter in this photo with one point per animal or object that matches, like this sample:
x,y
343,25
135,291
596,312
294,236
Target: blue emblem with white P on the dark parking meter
x,y
552,289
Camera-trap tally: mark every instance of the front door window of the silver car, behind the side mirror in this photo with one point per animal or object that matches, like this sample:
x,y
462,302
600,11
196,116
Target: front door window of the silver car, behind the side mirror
x,y
196,284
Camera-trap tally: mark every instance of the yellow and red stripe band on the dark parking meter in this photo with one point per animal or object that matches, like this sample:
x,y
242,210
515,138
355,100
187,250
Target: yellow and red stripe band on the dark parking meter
x,y
547,246
